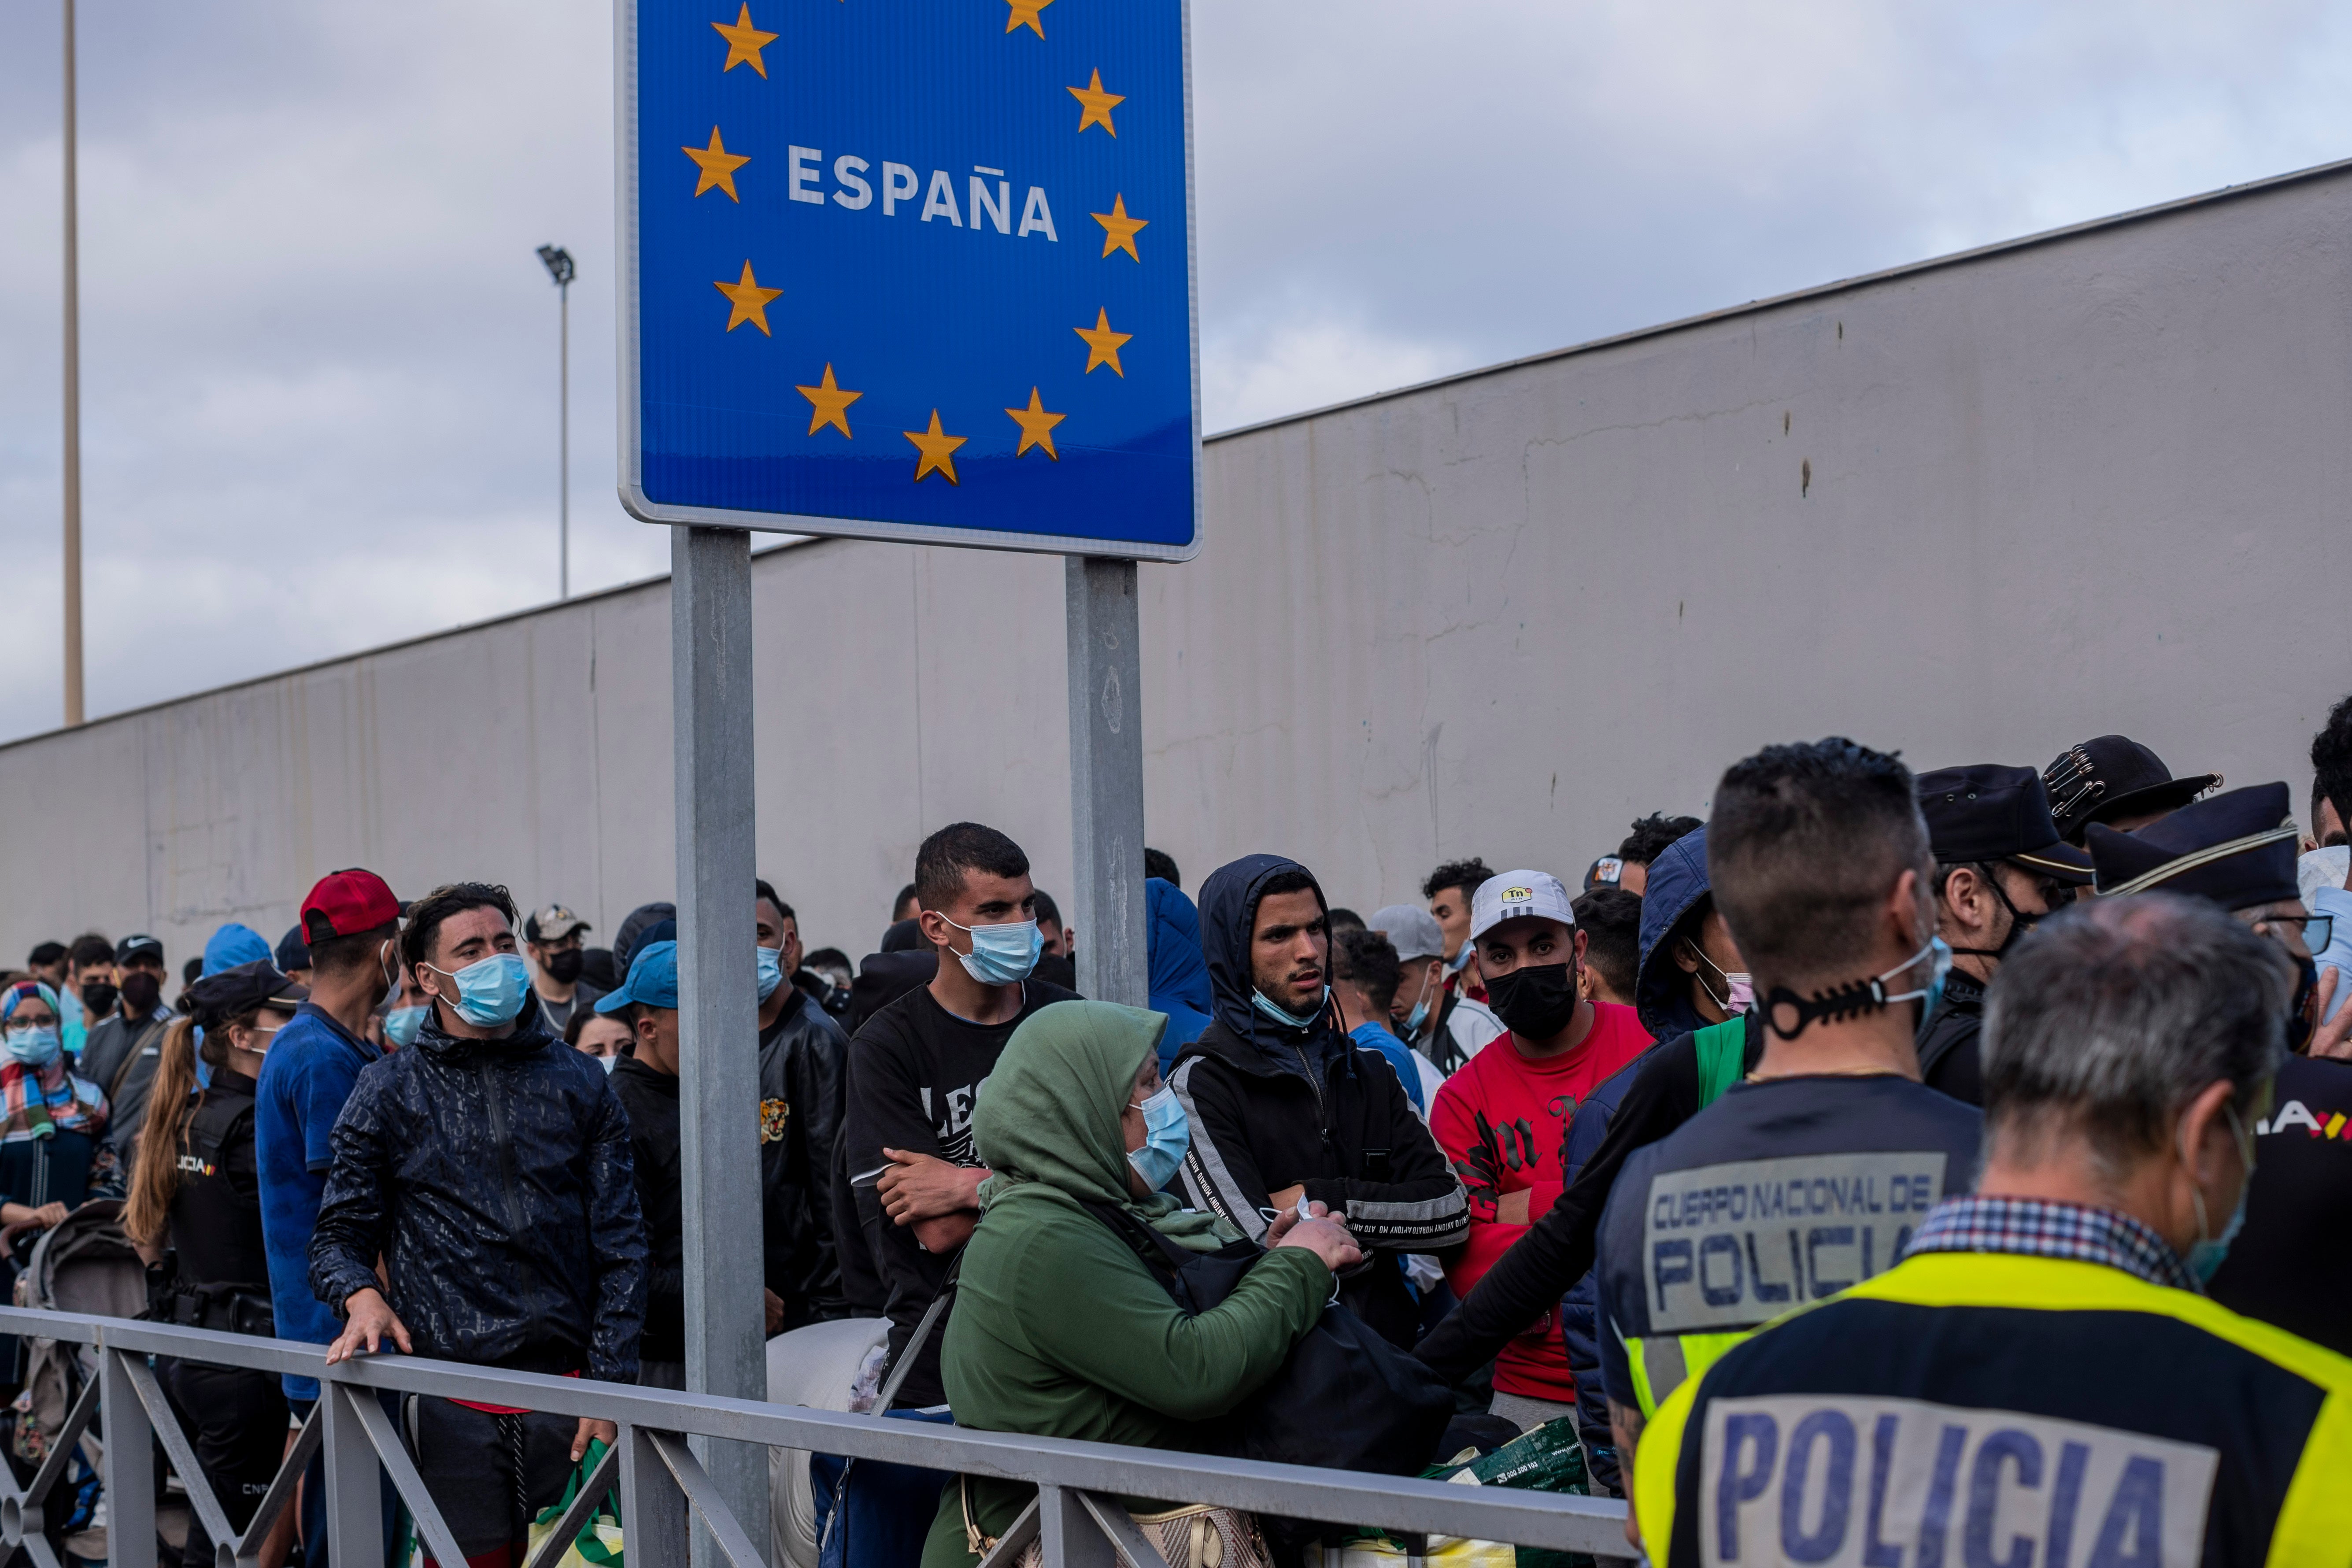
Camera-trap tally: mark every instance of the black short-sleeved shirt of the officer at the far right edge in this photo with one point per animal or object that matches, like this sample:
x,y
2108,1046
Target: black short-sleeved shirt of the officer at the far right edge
x,y
2290,1264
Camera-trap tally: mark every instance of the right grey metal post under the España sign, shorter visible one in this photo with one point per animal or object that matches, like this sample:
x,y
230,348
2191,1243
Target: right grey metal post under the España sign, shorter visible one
x,y
1107,779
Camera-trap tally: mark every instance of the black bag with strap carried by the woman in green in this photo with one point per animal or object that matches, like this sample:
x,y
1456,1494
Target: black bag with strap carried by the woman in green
x,y
1344,1398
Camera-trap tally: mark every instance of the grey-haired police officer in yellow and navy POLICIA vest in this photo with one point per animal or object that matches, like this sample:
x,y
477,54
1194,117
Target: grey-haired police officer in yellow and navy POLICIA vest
x,y
2040,1379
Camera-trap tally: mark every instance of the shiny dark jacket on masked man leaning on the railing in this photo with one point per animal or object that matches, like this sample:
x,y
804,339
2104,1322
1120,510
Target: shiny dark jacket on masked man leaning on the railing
x,y
495,1181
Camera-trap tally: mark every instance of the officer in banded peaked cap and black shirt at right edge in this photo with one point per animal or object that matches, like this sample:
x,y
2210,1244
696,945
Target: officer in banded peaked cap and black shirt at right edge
x,y
2238,850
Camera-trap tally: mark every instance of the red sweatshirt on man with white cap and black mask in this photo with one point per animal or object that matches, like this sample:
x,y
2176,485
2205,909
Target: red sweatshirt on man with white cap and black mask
x,y
1504,1120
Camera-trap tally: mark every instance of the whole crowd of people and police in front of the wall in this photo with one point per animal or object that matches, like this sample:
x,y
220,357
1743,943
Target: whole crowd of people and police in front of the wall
x,y
1885,1170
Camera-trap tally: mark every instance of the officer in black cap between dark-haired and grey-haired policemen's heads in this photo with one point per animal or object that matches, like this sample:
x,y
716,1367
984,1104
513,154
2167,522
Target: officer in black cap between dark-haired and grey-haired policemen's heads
x,y
2000,866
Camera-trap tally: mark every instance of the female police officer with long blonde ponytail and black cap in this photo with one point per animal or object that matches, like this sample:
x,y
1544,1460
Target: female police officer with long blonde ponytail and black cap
x,y
196,1219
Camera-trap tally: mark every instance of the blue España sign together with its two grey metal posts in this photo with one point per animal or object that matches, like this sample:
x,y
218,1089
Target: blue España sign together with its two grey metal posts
x,y
916,274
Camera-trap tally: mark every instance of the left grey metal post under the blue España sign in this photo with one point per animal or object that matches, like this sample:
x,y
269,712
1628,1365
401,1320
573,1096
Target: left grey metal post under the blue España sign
x,y
719,1010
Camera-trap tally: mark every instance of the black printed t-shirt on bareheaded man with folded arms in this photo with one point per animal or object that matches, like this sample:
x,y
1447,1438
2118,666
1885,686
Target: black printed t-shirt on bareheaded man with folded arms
x,y
916,1071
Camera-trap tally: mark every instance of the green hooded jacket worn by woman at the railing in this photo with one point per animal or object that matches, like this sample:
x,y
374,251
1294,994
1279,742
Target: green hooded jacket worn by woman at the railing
x,y
1060,1329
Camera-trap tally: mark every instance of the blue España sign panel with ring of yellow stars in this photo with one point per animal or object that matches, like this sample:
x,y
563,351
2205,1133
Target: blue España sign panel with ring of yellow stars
x,y
911,269
